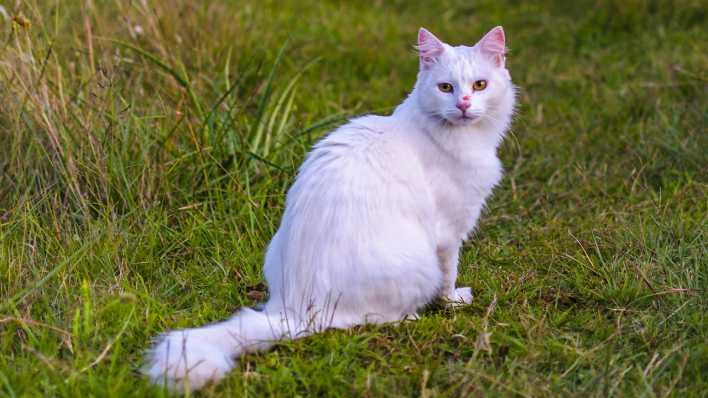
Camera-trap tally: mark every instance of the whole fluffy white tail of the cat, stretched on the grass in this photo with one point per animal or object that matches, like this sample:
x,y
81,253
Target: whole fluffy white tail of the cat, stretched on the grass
x,y
190,358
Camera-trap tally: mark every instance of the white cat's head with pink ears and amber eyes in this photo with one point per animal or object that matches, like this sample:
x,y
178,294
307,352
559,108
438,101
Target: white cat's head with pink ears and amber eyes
x,y
463,85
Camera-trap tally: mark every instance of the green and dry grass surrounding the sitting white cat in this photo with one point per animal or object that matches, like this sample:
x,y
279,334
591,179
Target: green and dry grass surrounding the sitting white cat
x,y
145,152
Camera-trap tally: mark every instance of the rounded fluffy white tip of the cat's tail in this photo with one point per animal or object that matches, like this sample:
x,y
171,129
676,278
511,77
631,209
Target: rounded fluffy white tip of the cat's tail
x,y
182,363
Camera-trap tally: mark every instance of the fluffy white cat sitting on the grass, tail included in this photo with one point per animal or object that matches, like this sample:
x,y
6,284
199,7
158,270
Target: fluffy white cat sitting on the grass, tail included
x,y
375,219
